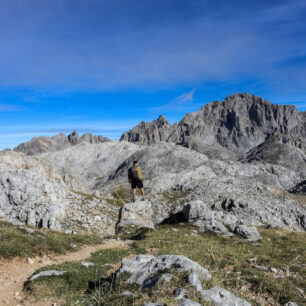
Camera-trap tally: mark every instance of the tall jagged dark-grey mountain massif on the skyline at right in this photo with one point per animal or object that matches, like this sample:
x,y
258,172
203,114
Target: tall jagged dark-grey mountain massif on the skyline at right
x,y
237,124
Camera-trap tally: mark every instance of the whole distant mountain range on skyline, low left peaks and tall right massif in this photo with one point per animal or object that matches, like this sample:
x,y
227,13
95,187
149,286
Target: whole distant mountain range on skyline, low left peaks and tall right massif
x,y
243,127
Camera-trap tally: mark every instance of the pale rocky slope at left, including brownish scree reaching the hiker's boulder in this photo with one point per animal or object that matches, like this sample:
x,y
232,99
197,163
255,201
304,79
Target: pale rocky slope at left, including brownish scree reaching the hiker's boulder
x,y
38,193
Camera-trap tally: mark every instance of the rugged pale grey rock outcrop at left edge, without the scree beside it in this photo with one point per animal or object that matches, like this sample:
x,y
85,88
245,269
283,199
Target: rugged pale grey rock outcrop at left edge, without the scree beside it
x,y
30,197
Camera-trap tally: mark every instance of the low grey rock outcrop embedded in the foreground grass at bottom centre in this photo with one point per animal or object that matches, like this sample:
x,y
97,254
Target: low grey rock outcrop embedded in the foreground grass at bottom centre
x,y
143,268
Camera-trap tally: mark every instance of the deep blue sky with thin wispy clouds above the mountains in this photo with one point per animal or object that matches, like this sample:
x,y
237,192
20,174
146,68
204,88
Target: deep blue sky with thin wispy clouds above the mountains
x,y
103,66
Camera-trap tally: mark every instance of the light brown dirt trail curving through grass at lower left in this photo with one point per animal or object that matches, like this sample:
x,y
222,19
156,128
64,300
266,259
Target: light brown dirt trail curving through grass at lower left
x,y
15,272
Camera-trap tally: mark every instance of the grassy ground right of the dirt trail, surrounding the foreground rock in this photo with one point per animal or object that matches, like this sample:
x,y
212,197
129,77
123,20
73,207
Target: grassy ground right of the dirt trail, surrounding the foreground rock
x,y
226,259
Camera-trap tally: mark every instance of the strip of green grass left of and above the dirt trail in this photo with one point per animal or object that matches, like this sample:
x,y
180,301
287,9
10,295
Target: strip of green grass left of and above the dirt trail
x,y
14,242
